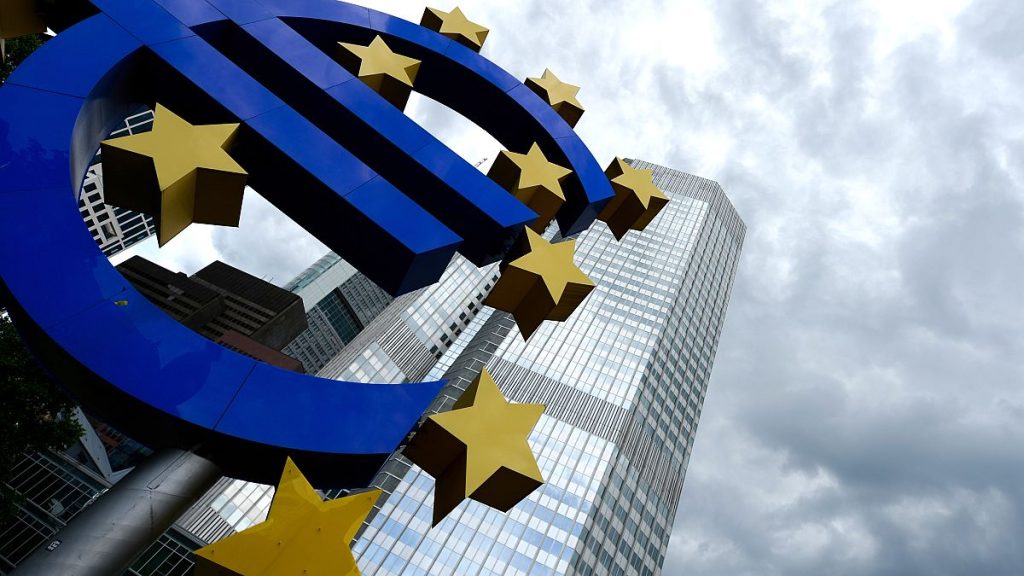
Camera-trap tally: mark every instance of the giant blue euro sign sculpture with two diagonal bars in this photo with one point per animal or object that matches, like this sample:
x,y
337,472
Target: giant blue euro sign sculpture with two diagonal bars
x,y
321,146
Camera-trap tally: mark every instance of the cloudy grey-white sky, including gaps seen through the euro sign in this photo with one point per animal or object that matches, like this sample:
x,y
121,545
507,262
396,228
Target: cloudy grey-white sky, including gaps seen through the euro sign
x,y
866,413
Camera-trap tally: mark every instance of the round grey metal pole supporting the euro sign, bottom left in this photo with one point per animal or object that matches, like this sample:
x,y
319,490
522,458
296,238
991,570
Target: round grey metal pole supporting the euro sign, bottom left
x,y
108,536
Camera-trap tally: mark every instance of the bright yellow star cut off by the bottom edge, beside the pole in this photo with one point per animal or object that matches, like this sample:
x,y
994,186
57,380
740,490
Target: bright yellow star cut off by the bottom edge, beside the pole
x,y
302,536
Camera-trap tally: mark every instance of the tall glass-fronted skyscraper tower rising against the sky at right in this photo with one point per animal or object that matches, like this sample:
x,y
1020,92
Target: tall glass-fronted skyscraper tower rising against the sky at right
x,y
623,381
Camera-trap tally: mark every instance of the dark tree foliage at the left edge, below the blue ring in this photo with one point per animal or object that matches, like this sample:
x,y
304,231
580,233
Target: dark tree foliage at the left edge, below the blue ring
x,y
34,415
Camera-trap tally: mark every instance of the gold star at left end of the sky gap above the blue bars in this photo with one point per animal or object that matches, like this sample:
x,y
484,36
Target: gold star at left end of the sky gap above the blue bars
x,y
390,74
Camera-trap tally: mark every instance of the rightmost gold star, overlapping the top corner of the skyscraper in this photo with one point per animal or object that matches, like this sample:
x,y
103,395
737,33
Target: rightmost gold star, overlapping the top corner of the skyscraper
x,y
637,200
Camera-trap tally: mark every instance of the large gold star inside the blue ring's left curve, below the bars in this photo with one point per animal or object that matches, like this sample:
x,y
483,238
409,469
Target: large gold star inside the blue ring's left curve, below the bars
x,y
178,174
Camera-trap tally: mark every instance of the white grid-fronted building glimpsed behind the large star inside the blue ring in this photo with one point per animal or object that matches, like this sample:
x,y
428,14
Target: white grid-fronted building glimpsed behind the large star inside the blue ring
x,y
114,229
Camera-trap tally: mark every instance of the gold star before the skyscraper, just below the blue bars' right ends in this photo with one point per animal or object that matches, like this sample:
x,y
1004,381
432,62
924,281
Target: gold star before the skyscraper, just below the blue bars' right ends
x,y
542,284
